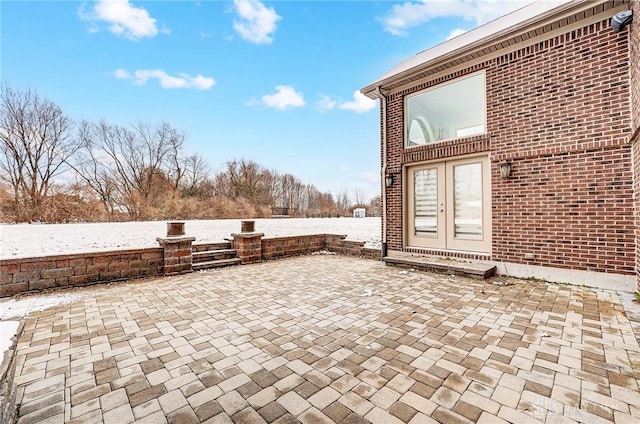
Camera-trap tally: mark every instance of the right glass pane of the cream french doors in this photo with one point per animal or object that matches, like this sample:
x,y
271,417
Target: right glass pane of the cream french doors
x,y
467,201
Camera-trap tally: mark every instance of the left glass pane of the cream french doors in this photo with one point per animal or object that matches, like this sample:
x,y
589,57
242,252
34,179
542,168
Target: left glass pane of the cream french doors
x,y
426,202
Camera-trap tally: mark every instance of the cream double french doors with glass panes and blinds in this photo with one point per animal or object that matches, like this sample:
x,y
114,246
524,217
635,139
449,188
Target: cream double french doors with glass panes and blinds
x,y
449,205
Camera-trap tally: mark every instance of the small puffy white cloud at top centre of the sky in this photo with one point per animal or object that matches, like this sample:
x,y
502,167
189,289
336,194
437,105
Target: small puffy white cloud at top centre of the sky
x,y
257,23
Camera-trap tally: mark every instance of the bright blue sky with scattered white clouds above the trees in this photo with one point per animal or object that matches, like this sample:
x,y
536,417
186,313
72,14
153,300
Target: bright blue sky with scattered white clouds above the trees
x,y
274,82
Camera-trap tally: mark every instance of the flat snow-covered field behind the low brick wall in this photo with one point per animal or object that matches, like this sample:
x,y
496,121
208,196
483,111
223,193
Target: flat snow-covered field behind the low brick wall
x,y
30,240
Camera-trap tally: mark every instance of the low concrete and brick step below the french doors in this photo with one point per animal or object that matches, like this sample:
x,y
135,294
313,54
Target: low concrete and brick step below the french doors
x,y
440,264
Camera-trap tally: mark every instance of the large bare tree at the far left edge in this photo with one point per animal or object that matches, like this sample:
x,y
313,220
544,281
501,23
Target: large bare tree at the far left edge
x,y
35,144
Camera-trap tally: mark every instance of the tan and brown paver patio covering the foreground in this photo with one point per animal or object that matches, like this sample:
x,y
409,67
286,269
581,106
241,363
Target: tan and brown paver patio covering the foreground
x,y
322,339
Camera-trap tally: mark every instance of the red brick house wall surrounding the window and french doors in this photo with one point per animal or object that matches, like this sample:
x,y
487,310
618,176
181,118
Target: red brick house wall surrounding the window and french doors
x,y
559,110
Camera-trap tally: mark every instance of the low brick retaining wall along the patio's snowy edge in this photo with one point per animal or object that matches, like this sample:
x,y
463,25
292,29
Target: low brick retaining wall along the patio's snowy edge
x,y
41,273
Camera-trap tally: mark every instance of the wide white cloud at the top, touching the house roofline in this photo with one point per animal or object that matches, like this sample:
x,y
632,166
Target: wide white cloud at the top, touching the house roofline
x,y
404,16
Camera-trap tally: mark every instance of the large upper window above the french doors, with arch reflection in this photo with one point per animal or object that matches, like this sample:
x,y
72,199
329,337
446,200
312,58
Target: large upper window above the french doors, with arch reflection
x,y
452,110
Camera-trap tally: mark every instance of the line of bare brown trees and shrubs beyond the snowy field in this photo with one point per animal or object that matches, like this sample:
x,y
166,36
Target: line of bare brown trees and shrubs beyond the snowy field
x,y
53,169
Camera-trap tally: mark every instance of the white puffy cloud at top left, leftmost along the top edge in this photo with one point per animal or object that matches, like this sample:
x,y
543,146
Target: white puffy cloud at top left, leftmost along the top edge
x,y
124,19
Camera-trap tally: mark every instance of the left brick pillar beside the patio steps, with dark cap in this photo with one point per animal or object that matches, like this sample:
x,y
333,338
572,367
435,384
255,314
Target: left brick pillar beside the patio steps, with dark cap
x,y
178,253
